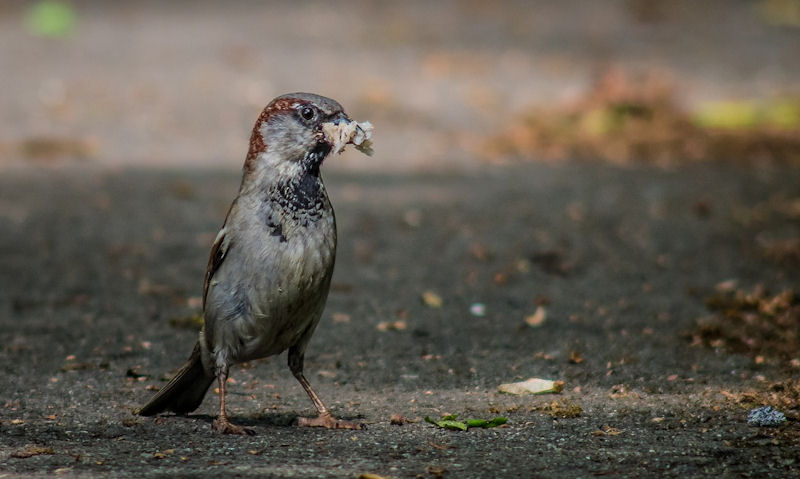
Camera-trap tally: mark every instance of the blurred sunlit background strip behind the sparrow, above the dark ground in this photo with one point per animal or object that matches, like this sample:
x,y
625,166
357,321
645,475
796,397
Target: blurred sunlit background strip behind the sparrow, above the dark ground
x,y
449,84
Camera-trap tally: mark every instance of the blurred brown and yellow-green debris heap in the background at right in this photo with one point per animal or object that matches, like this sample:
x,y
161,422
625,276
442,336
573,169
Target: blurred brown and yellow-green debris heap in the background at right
x,y
630,119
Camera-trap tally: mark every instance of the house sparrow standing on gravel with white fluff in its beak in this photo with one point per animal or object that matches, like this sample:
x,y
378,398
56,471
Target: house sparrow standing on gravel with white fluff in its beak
x,y
270,266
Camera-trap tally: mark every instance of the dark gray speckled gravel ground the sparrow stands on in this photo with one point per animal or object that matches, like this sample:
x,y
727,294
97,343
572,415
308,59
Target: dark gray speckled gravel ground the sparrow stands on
x,y
97,266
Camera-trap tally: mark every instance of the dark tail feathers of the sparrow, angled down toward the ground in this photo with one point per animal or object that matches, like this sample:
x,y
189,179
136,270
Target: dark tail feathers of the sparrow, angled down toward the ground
x,y
185,392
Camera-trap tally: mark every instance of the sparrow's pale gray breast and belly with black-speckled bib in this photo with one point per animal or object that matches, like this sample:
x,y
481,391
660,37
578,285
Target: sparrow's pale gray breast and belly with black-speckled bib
x,y
276,282
